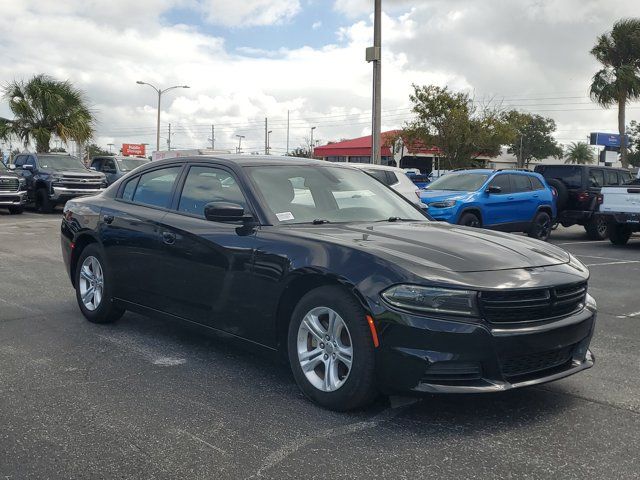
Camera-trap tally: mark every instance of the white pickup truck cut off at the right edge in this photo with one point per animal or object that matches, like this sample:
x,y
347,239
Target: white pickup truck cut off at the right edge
x,y
621,206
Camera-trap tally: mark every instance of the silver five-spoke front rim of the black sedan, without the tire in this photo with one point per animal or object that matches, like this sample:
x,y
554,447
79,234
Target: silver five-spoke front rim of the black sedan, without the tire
x,y
325,349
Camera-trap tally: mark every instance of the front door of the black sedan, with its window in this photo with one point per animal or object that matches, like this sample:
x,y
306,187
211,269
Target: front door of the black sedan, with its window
x,y
209,263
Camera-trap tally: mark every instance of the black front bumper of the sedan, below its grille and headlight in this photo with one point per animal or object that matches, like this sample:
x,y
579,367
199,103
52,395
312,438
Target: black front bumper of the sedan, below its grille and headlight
x,y
425,355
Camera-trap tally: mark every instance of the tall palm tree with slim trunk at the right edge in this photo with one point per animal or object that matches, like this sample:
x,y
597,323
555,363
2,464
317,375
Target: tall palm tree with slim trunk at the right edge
x,y
619,81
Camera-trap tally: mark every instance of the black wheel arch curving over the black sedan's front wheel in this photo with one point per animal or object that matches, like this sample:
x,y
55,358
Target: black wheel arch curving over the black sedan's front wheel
x,y
297,285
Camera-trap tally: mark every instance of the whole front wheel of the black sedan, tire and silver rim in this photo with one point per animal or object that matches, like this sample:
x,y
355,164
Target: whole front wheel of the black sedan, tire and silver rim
x,y
331,350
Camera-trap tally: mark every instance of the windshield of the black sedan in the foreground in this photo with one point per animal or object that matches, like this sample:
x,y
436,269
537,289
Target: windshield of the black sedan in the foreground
x,y
317,194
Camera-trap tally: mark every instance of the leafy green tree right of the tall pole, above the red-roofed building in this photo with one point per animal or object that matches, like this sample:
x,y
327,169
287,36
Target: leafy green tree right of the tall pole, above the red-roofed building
x,y
458,126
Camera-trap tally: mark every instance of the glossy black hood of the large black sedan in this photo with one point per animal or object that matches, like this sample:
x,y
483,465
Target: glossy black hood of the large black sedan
x,y
436,245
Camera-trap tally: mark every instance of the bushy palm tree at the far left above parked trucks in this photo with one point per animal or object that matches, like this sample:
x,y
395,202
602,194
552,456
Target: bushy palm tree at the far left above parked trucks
x,y
43,107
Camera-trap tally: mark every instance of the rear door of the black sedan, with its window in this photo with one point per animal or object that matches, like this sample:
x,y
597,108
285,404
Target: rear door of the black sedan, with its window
x,y
130,234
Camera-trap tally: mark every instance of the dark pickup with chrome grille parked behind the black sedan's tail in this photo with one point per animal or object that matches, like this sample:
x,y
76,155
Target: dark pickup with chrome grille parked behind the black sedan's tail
x,y
52,179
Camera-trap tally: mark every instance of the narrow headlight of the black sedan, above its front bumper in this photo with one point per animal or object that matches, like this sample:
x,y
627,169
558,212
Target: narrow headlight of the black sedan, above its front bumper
x,y
435,300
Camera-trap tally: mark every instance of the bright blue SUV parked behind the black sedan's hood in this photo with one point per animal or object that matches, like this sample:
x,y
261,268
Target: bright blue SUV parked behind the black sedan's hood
x,y
507,200
